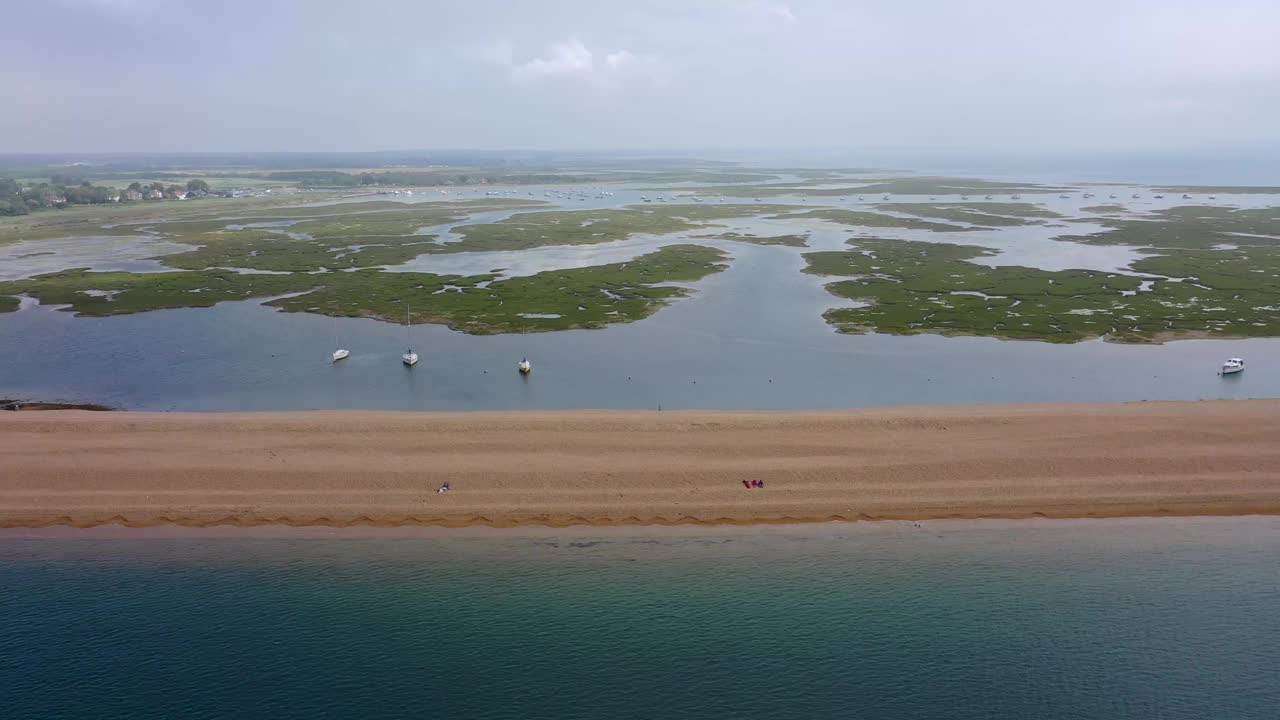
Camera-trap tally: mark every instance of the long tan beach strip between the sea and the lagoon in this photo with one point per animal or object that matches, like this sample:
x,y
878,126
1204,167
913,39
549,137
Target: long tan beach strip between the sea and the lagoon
x,y
610,468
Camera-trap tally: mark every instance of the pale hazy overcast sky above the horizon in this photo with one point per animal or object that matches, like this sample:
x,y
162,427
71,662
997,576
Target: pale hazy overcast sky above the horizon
x,y
159,76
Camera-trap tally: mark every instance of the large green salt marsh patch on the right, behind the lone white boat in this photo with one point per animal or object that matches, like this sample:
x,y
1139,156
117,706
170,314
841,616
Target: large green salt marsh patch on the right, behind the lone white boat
x,y
921,288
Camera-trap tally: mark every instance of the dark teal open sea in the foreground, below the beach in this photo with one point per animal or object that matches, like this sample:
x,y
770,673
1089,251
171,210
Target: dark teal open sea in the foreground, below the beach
x,y
1165,619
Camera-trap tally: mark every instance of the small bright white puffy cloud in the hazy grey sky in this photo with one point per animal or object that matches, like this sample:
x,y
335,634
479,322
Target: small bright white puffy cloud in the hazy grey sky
x,y
573,61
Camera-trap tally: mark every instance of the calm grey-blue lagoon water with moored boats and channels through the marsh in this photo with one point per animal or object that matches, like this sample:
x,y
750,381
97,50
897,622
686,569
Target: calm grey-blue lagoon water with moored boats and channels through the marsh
x,y
751,338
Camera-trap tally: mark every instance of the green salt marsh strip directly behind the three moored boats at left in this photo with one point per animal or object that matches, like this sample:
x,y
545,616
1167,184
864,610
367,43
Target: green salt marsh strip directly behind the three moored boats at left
x,y
582,298
